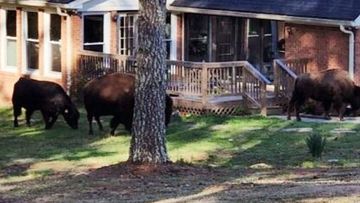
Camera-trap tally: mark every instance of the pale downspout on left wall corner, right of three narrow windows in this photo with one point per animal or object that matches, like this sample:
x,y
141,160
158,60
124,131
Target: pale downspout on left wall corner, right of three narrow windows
x,y
68,48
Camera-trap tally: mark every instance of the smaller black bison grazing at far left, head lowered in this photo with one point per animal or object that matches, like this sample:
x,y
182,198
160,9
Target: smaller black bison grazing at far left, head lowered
x,y
48,97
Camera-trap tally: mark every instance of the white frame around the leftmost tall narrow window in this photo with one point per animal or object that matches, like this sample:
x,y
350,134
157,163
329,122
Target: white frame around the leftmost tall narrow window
x,y
4,40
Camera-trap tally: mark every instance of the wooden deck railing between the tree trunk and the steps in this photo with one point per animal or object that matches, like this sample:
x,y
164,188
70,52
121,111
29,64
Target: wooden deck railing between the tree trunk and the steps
x,y
218,79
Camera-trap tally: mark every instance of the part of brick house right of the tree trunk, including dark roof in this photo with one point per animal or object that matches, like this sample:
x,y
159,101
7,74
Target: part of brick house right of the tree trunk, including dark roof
x,y
259,31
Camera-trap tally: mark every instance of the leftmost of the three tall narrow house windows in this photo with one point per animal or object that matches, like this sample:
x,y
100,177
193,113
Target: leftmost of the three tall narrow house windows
x,y
11,50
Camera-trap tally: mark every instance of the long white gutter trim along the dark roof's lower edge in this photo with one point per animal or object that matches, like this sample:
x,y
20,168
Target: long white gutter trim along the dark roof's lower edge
x,y
293,19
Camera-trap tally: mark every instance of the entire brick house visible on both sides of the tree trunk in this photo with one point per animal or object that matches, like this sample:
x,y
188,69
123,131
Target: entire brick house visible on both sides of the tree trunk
x,y
254,33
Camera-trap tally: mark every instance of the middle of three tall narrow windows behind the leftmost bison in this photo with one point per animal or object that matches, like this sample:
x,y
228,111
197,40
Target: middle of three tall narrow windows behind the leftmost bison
x,y
32,41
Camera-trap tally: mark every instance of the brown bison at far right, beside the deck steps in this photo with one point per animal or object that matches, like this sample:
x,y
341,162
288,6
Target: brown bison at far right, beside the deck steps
x,y
330,87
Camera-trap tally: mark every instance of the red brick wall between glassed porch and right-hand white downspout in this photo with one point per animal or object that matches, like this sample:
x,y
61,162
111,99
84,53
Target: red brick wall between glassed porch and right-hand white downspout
x,y
327,46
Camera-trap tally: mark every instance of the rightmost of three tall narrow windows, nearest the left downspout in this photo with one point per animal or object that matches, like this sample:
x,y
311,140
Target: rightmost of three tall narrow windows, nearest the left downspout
x,y
55,43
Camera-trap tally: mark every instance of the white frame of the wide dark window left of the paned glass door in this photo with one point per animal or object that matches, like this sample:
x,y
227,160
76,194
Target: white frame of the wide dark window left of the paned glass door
x,y
106,31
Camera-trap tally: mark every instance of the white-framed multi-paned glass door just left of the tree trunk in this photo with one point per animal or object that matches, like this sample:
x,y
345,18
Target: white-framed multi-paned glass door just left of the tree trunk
x,y
125,38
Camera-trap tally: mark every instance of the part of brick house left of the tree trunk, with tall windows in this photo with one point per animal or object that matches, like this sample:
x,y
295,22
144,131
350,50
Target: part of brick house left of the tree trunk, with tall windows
x,y
41,39
